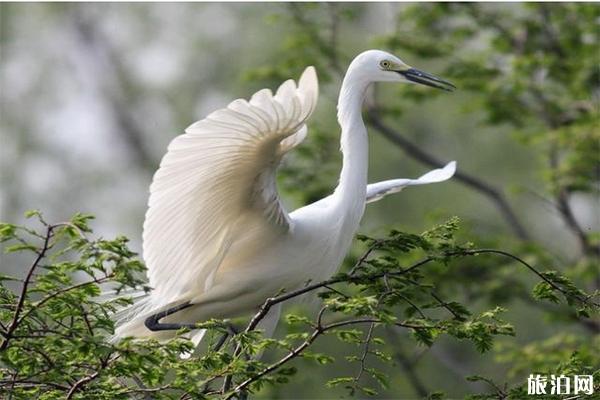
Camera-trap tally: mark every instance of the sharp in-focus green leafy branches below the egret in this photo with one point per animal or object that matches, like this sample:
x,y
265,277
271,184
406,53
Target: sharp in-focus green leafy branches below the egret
x,y
57,324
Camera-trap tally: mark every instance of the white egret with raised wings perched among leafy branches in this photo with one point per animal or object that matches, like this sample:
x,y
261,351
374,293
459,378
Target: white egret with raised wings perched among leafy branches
x,y
217,240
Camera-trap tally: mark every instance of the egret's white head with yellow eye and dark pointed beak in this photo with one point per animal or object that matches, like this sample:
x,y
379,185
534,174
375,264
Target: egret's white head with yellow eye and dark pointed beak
x,y
380,66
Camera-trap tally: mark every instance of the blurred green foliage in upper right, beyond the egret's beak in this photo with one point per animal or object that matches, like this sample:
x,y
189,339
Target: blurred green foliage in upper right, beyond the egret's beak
x,y
530,67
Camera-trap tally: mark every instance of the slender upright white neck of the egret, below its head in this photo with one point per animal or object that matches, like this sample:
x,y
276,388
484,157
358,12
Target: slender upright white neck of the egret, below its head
x,y
351,191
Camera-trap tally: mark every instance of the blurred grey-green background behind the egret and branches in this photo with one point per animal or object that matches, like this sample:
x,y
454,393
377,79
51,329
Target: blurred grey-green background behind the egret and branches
x,y
91,94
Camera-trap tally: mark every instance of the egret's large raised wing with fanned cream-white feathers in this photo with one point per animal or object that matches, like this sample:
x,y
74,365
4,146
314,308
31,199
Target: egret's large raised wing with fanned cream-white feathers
x,y
219,173
